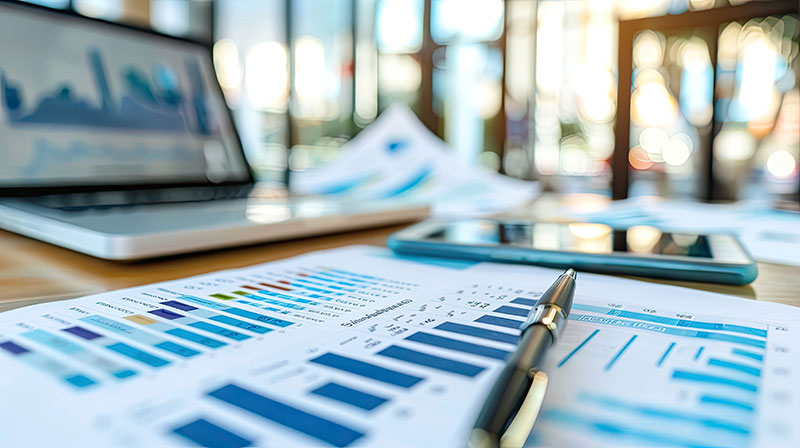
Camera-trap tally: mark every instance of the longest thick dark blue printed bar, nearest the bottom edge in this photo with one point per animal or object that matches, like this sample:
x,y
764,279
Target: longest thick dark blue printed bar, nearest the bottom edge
x,y
312,425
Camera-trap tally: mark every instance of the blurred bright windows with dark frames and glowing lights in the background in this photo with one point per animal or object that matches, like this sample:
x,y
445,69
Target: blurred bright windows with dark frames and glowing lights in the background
x,y
711,105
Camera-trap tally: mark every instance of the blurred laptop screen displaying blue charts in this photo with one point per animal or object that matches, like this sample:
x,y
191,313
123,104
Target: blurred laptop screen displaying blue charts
x,y
88,103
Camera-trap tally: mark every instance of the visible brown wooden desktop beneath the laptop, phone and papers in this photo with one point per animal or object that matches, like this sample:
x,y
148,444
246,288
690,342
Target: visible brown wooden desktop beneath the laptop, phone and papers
x,y
32,271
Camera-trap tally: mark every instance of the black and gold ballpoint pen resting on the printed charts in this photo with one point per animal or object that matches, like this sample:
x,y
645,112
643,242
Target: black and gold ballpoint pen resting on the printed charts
x,y
517,380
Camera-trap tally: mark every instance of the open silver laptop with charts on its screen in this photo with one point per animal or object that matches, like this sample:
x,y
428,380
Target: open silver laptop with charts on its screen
x,y
117,142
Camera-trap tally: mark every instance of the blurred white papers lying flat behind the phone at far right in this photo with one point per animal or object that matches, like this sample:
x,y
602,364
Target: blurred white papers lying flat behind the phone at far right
x,y
770,235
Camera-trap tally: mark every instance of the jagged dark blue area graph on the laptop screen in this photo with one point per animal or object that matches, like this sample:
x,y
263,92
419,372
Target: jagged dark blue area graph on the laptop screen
x,y
153,103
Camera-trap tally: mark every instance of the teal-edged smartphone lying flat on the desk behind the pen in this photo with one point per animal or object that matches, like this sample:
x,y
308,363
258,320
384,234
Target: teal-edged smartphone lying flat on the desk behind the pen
x,y
638,250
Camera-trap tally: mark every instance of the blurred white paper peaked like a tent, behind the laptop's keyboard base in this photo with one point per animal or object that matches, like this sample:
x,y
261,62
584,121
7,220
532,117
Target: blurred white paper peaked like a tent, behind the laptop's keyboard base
x,y
397,158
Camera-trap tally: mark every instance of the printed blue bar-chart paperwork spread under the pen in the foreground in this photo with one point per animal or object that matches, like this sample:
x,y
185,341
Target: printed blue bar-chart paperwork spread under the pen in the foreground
x,y
358,347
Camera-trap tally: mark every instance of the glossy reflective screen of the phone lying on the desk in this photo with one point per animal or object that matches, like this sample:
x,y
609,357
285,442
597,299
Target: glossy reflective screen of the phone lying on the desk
x,y
574,237
